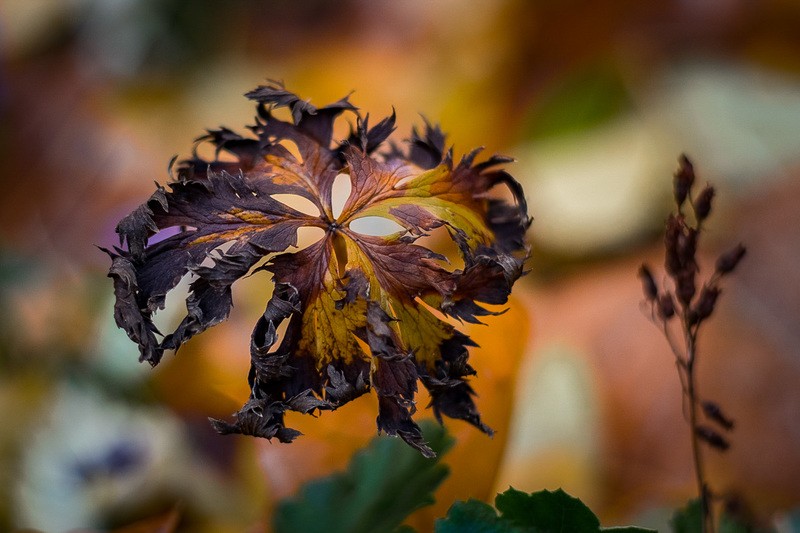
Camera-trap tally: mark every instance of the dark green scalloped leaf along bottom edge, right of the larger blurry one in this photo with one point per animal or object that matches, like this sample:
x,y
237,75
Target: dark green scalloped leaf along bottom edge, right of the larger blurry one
x,y
540,512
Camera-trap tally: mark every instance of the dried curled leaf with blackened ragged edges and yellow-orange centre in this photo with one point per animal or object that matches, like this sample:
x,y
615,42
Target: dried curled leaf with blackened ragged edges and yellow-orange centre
x,y
360,309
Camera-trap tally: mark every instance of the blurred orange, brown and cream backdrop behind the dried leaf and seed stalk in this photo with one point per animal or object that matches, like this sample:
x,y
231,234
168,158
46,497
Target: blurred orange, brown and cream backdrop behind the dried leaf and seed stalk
x,y
594,98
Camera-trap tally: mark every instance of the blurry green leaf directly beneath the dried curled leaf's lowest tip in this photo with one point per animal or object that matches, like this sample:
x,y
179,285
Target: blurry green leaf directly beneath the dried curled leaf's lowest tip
x,y
383,484
